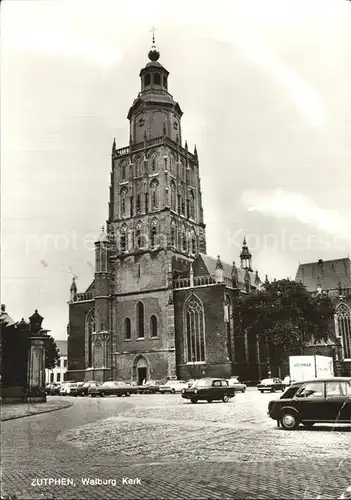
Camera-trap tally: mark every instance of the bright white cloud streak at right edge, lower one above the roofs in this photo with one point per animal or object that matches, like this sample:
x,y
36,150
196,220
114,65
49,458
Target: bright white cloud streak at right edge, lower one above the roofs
x,y
283,204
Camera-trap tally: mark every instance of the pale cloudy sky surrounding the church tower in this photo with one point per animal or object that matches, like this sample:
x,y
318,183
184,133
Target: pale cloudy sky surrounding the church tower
x,y
266,95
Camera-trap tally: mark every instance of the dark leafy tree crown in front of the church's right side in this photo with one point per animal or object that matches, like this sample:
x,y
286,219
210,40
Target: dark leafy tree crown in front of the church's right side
x,y
284,315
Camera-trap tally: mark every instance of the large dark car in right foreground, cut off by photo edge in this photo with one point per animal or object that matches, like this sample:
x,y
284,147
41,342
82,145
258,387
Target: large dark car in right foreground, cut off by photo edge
x,y
308,402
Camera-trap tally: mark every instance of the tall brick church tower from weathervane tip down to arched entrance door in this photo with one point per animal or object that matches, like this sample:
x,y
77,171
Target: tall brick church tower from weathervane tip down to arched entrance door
x,y
155,225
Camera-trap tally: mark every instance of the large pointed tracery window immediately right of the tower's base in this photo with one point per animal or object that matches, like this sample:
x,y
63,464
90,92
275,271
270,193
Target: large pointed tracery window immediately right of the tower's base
x,y
195,331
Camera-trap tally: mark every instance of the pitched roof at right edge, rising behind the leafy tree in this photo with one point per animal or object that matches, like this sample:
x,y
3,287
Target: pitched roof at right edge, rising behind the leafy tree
x,y
329,274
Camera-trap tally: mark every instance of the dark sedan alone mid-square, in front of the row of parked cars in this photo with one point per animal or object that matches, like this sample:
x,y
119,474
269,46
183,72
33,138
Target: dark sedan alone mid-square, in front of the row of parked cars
x,y
209,389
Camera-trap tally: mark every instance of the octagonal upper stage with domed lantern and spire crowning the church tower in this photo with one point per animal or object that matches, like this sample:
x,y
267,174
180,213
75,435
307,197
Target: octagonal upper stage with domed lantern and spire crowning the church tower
x,y
154,109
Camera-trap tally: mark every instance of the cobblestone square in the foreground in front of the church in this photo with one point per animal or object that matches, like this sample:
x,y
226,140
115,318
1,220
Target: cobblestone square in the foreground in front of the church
x,y
174,449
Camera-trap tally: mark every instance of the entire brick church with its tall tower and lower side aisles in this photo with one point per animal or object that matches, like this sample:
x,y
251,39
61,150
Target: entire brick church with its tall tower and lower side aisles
x,y
159,307
